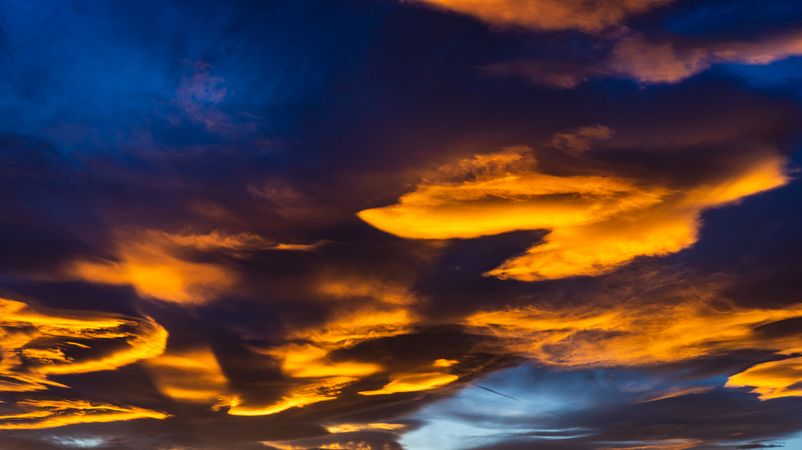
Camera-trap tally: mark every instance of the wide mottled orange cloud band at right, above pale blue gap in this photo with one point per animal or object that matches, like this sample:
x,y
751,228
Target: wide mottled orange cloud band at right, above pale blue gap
x,y
632,335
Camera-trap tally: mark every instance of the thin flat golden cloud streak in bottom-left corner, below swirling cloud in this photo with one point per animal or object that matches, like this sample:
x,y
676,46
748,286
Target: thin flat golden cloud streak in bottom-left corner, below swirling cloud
x,y
38,414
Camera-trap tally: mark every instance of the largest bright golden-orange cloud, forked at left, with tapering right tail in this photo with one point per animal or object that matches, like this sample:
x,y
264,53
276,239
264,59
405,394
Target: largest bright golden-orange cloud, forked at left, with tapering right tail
x,y
596,223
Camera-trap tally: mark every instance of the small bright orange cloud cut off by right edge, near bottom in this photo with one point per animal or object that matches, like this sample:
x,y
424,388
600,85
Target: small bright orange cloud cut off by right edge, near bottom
x,y
772,379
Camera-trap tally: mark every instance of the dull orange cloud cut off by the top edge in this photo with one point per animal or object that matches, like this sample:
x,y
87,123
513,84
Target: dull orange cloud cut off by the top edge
x,y
584,15
